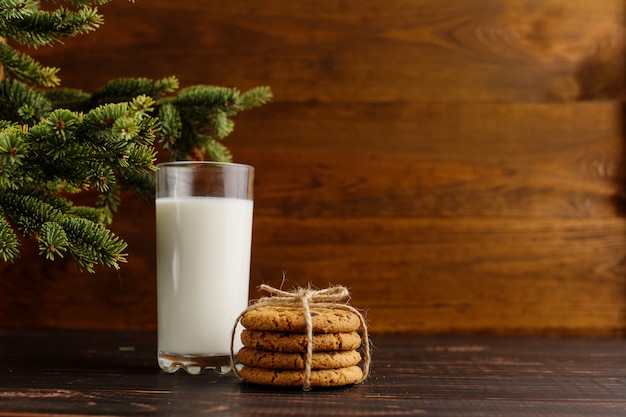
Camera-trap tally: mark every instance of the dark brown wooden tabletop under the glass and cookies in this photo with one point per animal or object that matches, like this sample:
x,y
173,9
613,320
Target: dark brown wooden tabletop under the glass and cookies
x,y
98,373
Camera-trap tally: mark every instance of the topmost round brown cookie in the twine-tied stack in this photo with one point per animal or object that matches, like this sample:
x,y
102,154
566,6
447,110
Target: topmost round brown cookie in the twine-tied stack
x,y
292,319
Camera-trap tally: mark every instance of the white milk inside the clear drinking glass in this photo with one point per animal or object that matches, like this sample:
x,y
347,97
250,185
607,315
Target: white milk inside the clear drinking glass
x,y
203,269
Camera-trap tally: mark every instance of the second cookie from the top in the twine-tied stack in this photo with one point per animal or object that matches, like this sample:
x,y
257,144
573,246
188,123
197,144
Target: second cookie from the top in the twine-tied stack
x,y
297,342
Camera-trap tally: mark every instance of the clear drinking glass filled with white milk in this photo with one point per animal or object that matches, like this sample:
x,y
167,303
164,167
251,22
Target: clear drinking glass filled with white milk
x,y
204,236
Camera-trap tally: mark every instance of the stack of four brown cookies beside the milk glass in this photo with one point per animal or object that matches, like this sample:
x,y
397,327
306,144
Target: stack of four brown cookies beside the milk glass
x,y
275,345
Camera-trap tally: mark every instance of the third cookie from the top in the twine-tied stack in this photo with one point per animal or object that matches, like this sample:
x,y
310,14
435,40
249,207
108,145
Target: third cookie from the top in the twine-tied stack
x,y
281,360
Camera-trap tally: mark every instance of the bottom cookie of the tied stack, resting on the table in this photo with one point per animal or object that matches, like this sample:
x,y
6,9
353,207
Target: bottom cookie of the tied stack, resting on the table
x,y
318,378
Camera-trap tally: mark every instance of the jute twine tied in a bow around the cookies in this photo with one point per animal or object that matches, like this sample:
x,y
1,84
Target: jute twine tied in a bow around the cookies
x,y
308,298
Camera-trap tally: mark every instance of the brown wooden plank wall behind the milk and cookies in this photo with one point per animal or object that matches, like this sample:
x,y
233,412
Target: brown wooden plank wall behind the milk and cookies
x,y
458,164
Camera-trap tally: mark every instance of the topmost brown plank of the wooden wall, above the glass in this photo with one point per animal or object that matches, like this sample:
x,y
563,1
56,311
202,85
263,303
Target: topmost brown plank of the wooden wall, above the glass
x,y
362,51
